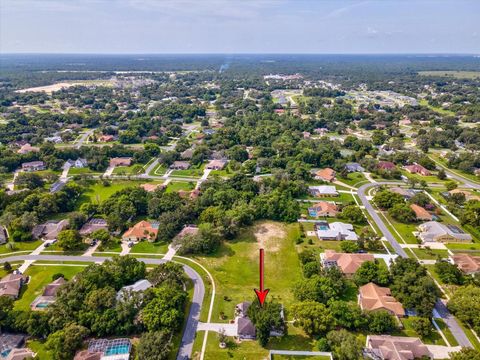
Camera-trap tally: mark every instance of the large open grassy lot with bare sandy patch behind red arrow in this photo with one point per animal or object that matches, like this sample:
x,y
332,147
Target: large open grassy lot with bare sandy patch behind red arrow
x,y
235,267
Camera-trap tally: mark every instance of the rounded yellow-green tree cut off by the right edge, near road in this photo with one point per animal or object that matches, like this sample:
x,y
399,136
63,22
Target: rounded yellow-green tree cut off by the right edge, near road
x,y
465,304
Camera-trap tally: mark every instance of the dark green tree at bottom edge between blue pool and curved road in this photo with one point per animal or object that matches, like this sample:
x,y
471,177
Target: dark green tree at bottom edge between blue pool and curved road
x,y
155,345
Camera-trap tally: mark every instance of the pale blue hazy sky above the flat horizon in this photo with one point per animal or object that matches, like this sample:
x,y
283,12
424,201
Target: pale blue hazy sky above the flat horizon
x,y
240,26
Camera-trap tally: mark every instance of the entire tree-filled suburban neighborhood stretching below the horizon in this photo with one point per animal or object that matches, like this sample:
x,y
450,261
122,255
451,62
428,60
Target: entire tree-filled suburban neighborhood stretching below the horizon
x,y
136,196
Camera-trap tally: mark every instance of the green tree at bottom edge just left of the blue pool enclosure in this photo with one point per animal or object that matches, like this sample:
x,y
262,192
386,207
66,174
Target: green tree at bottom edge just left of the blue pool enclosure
x,y
64,343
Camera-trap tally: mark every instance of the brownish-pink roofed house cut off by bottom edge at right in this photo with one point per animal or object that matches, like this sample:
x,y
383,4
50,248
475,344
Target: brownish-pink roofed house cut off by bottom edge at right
x,y
388,347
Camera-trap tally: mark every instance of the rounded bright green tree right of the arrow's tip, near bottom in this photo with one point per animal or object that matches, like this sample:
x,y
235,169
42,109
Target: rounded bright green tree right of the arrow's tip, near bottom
x,y
313,317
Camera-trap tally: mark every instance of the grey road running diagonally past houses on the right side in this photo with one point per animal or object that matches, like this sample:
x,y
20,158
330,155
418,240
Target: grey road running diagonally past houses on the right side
x,y
440,307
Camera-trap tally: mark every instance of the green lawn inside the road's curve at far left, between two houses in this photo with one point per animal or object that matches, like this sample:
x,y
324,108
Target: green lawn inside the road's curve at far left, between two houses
x,y
41,275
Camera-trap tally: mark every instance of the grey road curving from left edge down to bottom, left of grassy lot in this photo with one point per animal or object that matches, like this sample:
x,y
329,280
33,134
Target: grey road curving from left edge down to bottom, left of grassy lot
x,y
186,346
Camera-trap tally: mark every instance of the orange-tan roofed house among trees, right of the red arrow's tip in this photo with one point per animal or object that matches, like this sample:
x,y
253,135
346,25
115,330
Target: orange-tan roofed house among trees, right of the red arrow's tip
x,y
373,297
